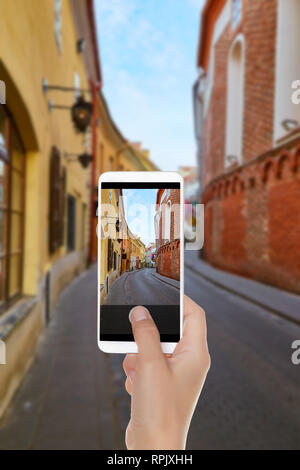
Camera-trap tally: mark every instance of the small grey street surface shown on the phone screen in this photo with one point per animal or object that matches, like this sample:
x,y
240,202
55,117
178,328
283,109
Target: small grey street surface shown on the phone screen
x,y
143,286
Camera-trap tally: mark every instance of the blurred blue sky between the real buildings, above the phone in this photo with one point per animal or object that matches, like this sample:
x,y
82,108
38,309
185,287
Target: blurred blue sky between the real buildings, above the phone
x,y
148,57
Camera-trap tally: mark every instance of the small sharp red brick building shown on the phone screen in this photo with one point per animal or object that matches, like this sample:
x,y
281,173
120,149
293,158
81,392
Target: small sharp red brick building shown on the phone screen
x,y
167,220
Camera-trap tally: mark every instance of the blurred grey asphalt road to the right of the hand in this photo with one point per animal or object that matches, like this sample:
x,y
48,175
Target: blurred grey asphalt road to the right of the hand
x,y
251,399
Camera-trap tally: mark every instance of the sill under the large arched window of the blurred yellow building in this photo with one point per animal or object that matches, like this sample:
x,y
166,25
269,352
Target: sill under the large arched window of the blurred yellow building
x,y
15,315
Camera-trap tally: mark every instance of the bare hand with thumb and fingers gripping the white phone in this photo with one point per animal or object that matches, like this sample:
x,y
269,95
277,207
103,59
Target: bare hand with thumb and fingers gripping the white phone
x,y
165,389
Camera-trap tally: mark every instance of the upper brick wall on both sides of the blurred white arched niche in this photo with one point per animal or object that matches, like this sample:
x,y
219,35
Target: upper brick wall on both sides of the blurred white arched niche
x,y
258,27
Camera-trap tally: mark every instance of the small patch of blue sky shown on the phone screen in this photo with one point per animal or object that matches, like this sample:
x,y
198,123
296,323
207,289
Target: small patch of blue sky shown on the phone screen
x,y
139,207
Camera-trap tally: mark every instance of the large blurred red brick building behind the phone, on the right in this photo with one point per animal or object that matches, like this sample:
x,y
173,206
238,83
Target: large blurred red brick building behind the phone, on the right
x,y
248,136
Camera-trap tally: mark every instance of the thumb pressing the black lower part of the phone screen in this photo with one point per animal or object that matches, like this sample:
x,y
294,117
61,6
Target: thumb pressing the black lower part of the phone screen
x,y
146,334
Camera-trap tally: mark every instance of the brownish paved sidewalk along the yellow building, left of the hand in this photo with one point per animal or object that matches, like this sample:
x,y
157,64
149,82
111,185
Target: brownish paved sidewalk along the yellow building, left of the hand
x,y
69,398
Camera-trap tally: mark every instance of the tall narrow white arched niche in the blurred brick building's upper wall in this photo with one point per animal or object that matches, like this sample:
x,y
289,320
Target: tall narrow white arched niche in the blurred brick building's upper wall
x,y
235,103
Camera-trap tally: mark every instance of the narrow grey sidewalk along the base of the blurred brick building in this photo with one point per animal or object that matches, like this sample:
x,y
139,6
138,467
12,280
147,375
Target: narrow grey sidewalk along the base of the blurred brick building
x,y
279,302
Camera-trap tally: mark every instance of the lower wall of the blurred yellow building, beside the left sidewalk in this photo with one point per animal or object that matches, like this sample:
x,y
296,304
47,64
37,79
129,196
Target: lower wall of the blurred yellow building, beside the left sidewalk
x,y
22,325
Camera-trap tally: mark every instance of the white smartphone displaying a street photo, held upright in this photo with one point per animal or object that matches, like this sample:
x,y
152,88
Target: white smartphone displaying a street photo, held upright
x,y
140,256
